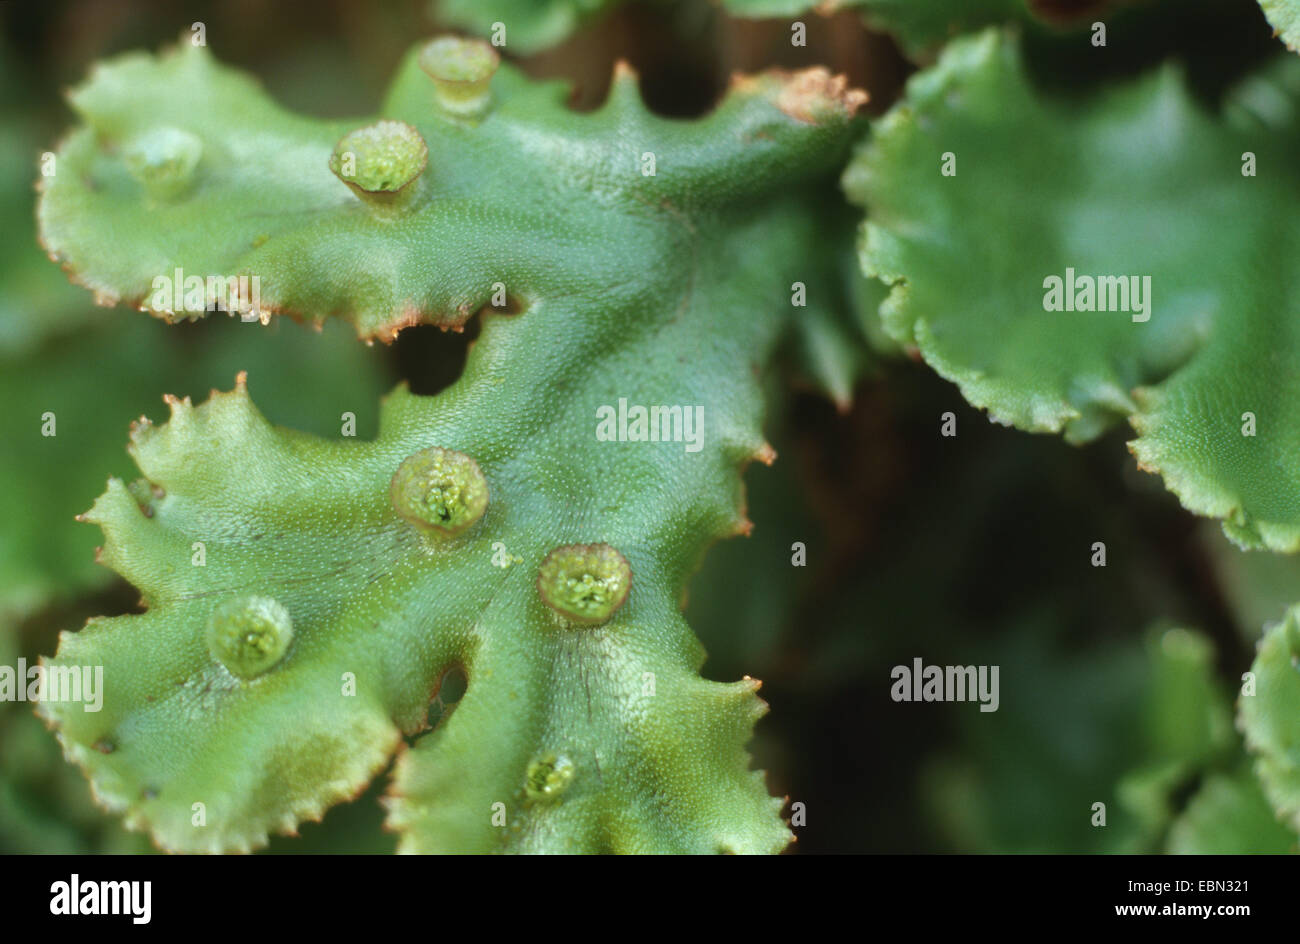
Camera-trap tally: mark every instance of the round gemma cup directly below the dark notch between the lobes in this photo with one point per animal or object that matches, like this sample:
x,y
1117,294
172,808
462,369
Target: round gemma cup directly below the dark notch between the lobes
x,y
440,491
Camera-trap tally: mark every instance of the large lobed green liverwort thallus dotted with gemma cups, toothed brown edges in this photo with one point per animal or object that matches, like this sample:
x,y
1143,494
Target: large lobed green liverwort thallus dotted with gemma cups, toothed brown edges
x,y
323,527
